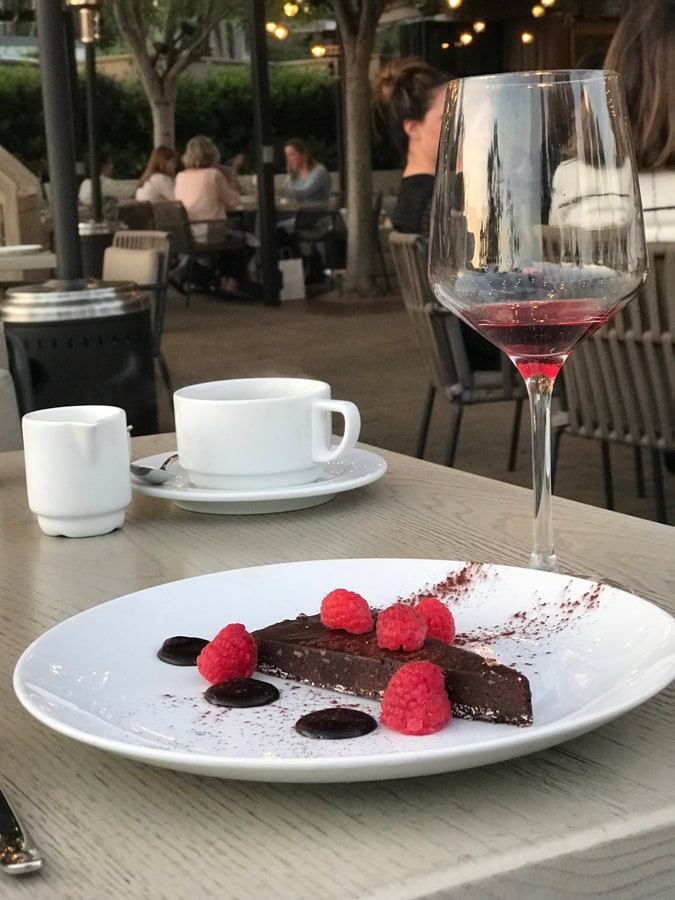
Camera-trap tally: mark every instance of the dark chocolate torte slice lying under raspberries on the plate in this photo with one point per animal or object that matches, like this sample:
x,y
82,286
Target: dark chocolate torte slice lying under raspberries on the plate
x,y
303,649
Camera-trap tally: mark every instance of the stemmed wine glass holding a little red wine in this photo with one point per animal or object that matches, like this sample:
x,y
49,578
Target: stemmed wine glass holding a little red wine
x,y
536,234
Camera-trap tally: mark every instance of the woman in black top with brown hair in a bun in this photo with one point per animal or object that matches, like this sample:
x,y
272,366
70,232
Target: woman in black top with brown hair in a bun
x,y
413,92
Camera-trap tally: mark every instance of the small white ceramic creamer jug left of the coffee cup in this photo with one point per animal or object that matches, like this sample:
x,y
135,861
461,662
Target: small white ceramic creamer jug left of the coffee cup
x,y
77,468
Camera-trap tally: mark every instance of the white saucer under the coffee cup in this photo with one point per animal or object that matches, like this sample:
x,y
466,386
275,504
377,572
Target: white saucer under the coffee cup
x,y
355,469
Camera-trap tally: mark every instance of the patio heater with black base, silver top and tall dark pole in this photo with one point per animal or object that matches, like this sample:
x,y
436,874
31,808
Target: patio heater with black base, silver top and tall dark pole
x,y
85,341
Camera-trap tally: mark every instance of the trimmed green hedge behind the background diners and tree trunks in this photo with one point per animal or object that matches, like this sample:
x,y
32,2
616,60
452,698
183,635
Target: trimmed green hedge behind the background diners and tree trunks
x,y
302,102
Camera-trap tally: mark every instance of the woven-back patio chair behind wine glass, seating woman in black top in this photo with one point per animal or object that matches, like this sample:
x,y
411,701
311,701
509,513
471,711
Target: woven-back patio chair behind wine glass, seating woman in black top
x,y
440,337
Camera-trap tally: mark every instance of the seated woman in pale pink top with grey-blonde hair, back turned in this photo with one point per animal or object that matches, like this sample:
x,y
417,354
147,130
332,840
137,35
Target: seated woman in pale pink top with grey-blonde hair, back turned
x,y
207,196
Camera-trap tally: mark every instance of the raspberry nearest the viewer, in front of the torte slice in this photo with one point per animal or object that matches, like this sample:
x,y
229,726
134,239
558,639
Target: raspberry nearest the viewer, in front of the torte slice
x,y
415,700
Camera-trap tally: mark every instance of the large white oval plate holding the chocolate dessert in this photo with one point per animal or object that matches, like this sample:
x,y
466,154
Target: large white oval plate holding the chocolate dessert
x,y
590,652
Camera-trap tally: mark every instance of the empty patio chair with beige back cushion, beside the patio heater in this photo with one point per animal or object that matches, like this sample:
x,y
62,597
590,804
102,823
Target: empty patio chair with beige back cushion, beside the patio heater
x,y
143,257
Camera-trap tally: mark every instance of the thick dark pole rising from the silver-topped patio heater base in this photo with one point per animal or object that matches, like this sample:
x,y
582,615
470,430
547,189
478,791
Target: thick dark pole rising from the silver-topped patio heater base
x,y
60,138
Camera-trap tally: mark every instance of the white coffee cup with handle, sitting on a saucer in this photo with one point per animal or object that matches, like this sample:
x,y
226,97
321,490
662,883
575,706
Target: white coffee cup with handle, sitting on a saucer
x,y
250,433
